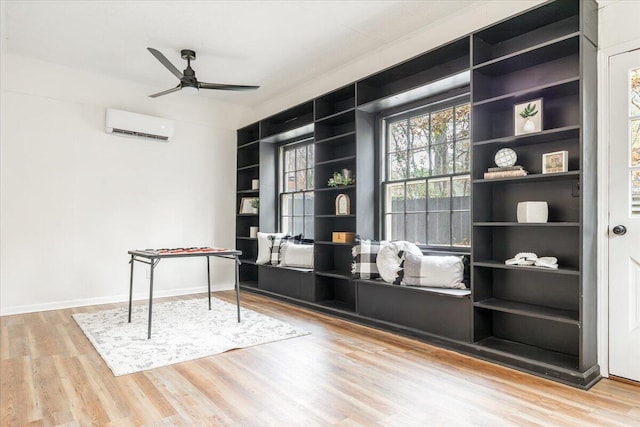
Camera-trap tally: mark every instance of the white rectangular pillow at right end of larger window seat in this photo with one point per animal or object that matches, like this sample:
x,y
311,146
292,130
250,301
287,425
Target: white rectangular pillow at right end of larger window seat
x,y
433,271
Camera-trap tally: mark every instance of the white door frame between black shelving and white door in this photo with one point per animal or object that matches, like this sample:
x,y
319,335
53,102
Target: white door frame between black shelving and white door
x,y
604,56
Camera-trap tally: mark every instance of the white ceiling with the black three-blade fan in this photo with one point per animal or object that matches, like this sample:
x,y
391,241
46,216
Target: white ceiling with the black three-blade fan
x,y
275,44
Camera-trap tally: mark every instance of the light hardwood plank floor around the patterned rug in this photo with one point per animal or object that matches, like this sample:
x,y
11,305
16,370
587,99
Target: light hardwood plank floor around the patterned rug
x,y
341,374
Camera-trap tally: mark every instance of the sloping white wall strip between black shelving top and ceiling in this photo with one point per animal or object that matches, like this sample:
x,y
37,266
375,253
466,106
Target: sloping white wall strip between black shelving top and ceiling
x,y
478,15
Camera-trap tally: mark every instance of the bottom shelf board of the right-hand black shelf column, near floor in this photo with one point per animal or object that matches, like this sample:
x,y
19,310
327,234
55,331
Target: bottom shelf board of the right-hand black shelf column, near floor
x,y
527,353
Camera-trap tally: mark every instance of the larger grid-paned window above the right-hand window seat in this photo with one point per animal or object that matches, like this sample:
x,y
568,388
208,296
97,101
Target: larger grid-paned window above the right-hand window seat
x,y
426,180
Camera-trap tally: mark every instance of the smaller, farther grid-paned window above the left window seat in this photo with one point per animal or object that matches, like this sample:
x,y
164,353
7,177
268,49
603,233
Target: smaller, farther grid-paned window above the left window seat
x,y
296,188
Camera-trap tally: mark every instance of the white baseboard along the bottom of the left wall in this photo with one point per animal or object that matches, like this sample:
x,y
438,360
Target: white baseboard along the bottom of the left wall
x,y
31,308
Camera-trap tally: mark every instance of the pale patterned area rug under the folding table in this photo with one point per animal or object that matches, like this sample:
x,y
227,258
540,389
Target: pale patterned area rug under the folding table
x,y
181,330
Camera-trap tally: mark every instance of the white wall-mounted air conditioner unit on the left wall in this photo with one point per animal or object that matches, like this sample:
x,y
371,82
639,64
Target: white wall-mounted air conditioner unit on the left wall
x,y
136,125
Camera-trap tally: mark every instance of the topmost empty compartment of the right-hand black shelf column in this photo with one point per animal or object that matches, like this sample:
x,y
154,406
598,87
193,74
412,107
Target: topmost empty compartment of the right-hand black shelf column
x,y
546,23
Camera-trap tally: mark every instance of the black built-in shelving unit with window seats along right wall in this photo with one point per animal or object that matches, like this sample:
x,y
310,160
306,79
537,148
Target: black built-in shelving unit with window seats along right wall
x,y
538,320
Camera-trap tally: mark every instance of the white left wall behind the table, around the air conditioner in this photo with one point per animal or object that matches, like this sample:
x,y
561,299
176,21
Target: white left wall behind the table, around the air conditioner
x,y
74,199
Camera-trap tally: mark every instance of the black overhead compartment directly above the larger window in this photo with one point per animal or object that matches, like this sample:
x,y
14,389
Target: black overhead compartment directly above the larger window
x,y
432,66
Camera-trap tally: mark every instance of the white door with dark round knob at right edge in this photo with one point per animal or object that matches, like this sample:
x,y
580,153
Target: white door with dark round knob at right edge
x,y
624,215
